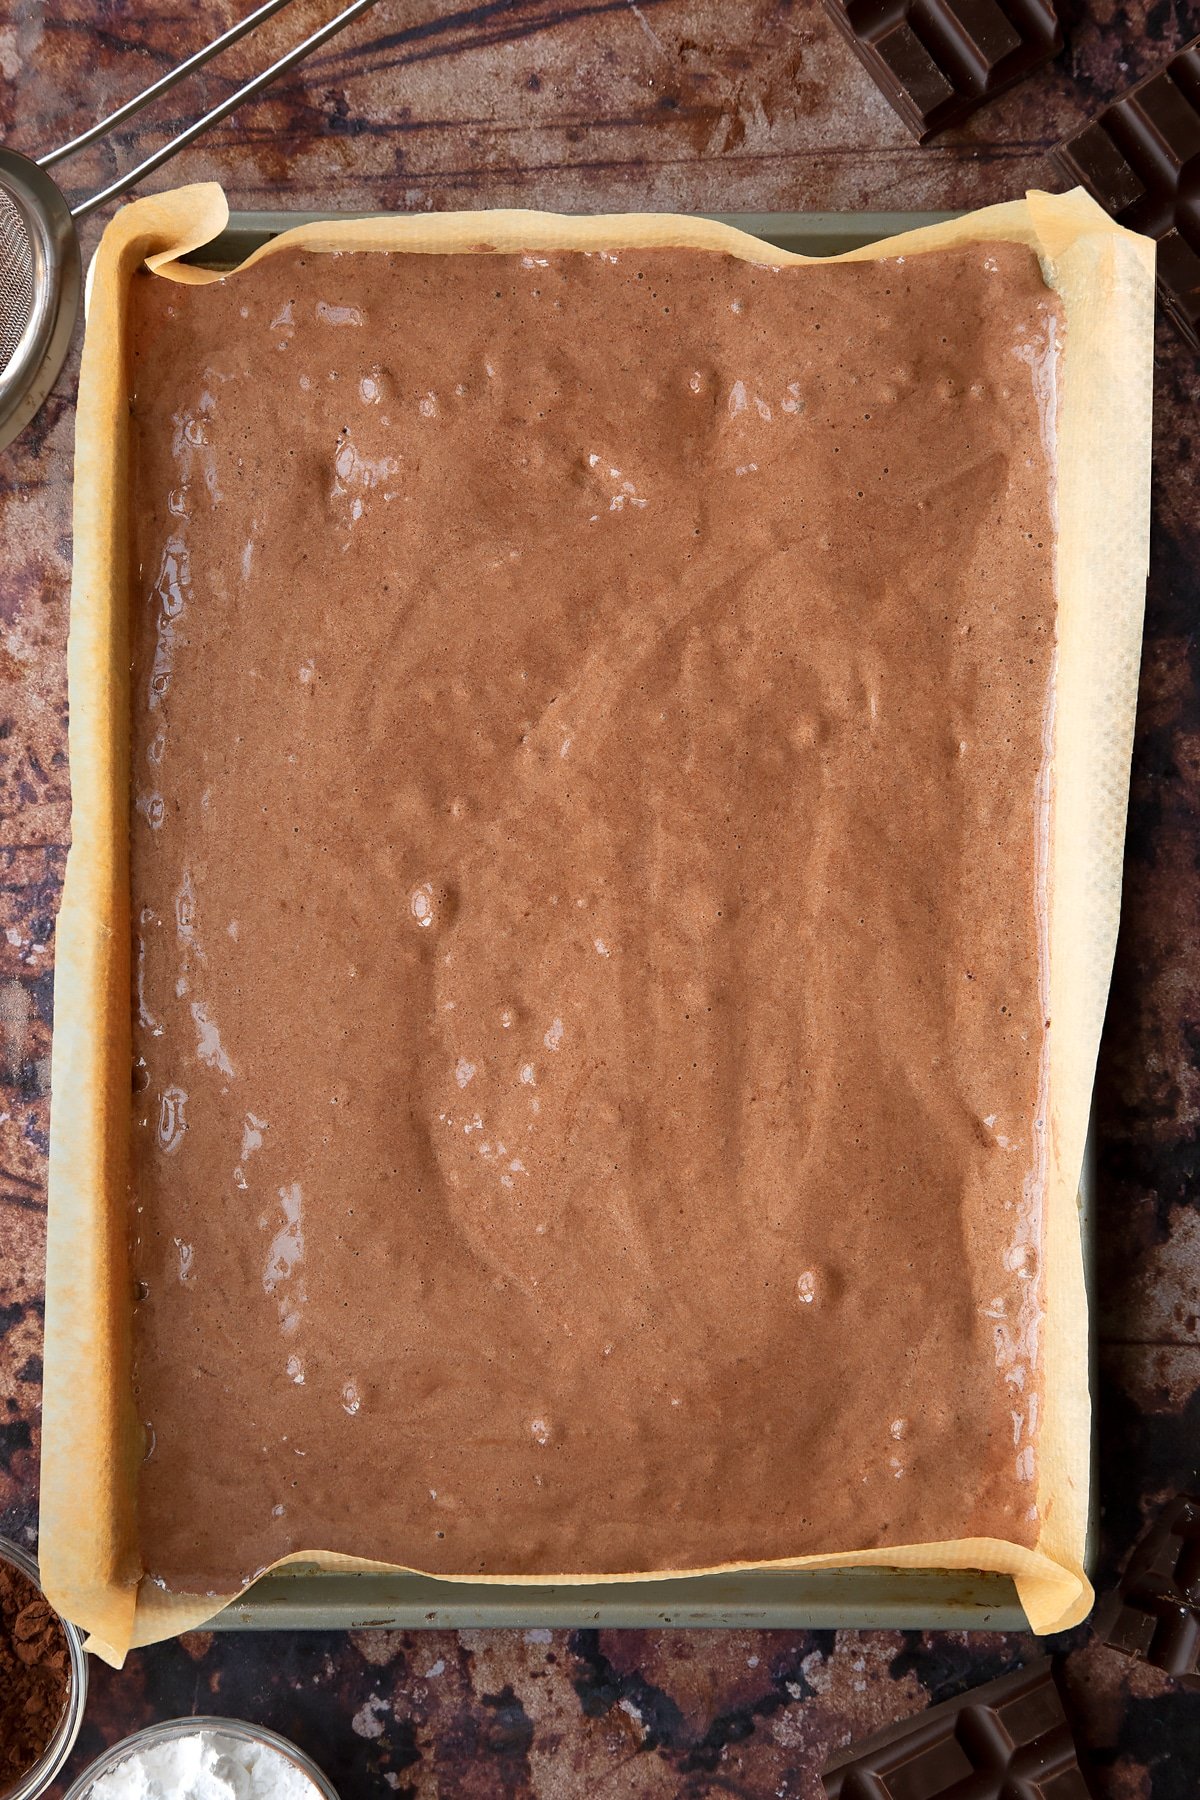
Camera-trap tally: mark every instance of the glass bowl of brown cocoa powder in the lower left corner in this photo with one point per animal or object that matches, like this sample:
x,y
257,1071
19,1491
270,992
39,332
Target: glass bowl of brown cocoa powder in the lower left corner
x,y
44,1680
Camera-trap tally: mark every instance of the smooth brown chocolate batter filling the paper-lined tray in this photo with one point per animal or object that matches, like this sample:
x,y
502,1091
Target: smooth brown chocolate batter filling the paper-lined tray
x,y
589,775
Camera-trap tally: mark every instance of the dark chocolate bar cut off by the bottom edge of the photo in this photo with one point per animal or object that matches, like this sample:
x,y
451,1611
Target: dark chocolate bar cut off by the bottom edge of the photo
x,y
1007,1738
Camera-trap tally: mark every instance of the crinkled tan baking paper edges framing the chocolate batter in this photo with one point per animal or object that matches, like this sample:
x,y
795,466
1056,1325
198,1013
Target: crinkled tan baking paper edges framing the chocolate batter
x,y
91,1434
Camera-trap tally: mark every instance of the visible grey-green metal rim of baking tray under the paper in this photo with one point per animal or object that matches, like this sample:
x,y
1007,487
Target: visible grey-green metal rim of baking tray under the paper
x,y
305,1597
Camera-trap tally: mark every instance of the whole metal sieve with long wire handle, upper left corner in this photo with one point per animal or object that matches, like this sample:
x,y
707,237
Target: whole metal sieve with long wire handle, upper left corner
x,y
40,267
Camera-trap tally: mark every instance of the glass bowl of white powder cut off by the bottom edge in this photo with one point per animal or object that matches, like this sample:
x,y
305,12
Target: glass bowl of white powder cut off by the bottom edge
x,y
204,1759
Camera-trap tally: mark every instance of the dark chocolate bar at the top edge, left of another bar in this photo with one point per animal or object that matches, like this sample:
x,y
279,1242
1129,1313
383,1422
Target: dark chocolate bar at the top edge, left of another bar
x,y
938,60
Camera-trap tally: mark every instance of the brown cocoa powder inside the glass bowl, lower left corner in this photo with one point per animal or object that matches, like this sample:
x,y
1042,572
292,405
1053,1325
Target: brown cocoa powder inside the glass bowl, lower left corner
x,y
35,1675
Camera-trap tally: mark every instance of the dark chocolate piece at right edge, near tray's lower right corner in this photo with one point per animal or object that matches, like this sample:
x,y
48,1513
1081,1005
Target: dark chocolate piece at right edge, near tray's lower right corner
x,y
1156,1610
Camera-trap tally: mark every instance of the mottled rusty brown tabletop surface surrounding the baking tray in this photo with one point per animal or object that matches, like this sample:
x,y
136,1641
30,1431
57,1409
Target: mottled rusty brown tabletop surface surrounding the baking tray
x,y
586,107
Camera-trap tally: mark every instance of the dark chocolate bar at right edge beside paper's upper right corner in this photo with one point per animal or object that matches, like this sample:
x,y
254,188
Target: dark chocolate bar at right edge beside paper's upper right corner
x,y
1140,161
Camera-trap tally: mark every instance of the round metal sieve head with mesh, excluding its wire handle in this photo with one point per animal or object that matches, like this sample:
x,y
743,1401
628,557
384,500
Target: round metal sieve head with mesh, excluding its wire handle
x,y
57,280
